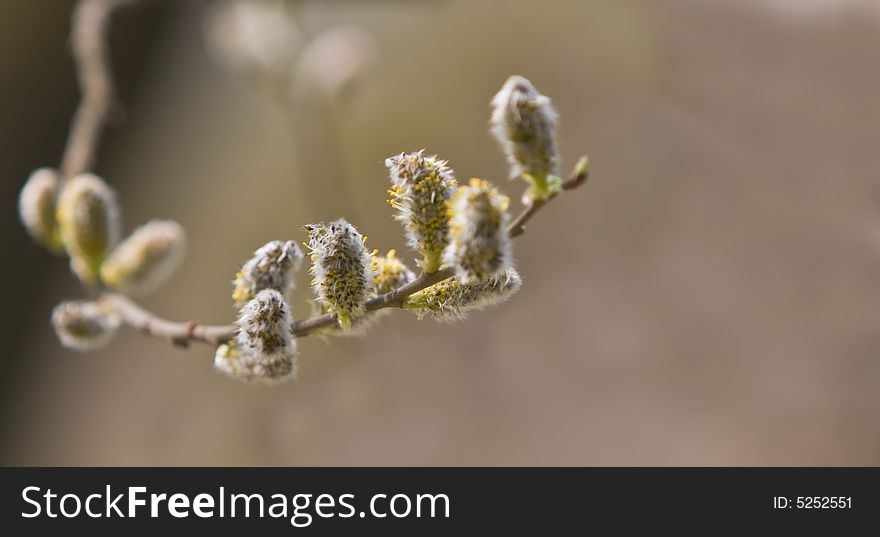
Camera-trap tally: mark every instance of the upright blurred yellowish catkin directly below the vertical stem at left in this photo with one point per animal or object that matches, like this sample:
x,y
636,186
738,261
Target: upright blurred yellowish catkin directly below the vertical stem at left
x,y
88,217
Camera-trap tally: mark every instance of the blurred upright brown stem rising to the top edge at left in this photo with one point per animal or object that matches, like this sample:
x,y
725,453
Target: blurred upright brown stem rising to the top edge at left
x,y
89,43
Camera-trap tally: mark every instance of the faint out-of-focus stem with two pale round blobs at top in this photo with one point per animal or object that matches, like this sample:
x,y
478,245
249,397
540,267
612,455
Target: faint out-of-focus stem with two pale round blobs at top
x,y
310,78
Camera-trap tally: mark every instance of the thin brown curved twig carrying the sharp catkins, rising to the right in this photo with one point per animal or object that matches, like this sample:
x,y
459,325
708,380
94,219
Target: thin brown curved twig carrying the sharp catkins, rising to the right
x,y
182,333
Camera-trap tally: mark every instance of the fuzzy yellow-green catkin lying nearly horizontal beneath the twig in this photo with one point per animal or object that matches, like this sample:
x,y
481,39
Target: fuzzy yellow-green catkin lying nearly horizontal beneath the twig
x,y
451,300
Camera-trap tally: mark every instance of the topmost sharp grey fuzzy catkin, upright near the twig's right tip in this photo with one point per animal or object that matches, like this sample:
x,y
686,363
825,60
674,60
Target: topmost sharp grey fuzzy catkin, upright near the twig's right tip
x,y
524,123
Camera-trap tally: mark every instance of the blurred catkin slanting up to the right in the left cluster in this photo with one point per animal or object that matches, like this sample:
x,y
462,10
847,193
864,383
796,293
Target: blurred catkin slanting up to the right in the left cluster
x,y
146,258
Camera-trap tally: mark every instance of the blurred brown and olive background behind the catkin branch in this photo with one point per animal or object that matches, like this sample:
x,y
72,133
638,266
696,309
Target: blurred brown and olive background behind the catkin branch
x,y
711,297
